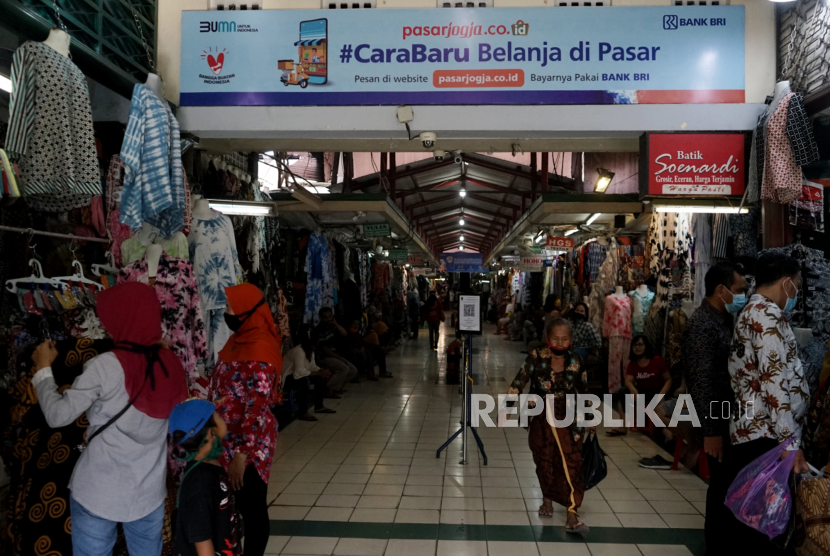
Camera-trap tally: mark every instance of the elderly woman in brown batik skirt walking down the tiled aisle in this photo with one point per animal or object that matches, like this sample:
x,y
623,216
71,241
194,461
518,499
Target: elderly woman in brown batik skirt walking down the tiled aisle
x,y
557,451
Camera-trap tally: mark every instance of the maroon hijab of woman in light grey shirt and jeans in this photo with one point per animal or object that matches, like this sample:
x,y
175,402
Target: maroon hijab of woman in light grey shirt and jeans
x,y
154,377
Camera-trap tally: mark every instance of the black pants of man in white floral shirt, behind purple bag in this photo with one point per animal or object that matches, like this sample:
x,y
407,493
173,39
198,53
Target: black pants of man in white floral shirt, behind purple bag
x,y
736,537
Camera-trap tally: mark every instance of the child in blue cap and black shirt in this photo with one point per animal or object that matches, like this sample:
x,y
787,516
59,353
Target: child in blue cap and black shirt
x,y
206,523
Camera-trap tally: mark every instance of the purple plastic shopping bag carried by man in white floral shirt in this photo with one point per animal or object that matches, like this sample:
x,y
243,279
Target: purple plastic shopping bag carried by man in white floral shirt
x,y
760,495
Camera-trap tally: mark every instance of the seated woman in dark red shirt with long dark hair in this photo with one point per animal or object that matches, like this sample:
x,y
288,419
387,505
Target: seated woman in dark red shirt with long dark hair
x,y
647,374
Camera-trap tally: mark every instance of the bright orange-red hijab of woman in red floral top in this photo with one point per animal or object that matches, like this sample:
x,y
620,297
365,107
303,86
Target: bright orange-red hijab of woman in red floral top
x,y
258,338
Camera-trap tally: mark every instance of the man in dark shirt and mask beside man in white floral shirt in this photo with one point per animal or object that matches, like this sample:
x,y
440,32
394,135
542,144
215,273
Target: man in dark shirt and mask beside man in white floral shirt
x,y
705,357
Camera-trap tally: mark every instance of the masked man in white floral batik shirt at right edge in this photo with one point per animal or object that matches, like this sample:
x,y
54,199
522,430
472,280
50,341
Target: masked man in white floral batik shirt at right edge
x,y
771,392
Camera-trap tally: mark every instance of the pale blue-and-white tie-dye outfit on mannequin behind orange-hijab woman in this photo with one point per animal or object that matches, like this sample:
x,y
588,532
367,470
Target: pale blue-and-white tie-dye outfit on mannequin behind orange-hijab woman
x,y
216,266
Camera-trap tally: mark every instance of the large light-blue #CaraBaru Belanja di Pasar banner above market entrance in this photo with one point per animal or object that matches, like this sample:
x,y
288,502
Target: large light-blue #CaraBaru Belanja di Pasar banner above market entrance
x,y
588,55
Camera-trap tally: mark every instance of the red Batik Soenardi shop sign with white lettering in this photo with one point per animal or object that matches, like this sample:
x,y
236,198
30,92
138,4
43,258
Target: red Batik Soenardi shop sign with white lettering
x,y
693,164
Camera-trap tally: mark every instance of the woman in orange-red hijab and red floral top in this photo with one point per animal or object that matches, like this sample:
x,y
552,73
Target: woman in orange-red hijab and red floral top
x,y
246,378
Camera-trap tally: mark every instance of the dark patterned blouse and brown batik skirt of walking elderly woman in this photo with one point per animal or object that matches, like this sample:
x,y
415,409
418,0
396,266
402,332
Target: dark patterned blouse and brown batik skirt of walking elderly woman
x,y
557,452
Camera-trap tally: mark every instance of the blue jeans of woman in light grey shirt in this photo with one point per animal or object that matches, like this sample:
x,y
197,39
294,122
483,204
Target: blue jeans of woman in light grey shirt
x,y
95,536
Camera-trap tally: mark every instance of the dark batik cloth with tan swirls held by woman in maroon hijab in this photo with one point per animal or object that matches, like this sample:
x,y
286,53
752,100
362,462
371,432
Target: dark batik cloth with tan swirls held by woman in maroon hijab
x,y
43,459
